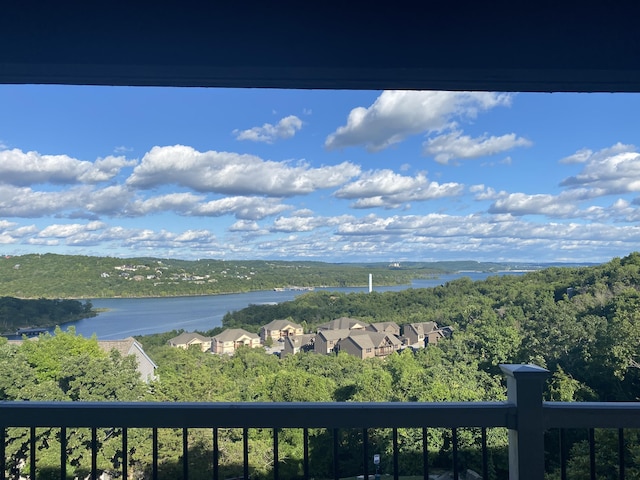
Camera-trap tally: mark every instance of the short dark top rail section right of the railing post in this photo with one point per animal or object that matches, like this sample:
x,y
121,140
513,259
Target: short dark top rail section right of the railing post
x,y
591,414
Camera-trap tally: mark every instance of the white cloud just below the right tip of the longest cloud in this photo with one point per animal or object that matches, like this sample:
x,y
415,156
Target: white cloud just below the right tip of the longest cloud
x,y
385,188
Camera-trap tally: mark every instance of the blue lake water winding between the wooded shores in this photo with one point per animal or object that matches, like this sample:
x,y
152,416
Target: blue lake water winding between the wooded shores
x,y
142,316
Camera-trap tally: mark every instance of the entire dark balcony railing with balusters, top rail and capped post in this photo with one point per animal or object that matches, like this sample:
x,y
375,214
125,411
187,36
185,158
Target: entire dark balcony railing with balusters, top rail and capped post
x,y
524,414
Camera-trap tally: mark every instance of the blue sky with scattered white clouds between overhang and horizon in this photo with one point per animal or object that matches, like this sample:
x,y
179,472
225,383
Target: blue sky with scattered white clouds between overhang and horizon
x,y
334,176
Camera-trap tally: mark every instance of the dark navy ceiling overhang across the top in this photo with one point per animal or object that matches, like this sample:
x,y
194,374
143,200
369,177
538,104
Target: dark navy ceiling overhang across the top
x,y
464,45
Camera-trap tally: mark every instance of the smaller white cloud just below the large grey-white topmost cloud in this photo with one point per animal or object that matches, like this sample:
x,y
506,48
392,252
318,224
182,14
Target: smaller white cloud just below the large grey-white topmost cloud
x,y
455,145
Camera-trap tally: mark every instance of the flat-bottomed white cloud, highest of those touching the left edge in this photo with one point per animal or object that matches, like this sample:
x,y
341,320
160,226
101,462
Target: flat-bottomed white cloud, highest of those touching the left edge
x,y
27,168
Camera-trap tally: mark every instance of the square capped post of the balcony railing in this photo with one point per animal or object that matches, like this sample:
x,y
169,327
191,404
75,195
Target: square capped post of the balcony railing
x,y
526,440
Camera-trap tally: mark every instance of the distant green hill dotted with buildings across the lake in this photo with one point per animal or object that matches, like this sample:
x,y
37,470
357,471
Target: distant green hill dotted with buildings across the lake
x,y
73,276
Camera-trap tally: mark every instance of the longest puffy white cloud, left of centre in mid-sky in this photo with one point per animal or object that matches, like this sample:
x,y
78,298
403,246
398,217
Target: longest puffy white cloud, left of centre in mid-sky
x,y
234,174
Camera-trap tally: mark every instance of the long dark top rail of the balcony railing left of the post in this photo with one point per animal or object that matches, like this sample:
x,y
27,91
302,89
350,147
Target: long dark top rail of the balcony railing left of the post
x,y
257,415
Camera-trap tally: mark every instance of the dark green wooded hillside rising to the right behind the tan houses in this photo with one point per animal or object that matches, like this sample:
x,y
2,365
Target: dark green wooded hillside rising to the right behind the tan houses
x,y
581,323
